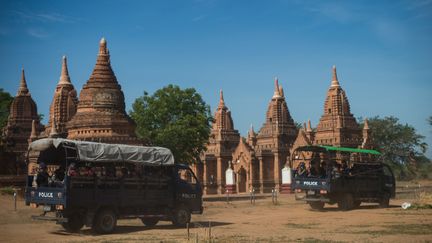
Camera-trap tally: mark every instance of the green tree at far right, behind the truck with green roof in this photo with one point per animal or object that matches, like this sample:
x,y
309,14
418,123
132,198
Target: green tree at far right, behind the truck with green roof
x,y
400,144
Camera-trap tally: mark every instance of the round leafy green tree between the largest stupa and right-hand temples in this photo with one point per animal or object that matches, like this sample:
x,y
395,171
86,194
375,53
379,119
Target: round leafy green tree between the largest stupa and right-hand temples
x,y
174,118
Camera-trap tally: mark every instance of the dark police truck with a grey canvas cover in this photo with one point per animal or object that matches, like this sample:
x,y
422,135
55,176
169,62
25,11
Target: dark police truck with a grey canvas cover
x,y
81,183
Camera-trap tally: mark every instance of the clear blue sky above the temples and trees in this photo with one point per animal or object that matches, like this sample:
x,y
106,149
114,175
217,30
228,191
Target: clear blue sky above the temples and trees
x,y
382,50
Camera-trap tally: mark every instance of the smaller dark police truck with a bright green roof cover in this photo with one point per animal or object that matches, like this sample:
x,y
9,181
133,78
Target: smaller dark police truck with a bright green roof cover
x,y
346,176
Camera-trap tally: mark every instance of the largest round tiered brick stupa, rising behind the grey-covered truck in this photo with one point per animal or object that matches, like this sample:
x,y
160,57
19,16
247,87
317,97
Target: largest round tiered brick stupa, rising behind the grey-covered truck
x,y
101,115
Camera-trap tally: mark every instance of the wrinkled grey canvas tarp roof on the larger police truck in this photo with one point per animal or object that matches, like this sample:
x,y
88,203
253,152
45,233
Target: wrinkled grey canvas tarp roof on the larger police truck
x,y
102,152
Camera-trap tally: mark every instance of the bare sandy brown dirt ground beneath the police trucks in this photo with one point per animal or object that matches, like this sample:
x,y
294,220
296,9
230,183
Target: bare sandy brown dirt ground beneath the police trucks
x,y
239,221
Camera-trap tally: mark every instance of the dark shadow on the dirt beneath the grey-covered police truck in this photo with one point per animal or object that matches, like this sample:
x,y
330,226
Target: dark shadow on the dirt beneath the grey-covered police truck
x,y
121,229
